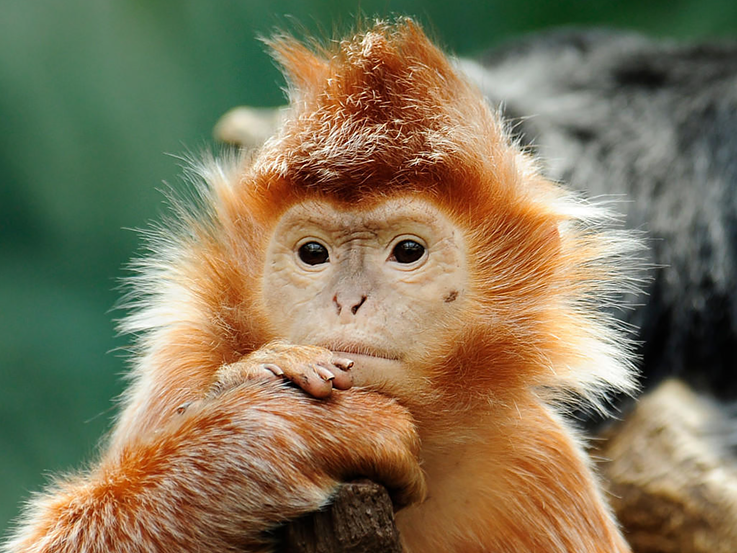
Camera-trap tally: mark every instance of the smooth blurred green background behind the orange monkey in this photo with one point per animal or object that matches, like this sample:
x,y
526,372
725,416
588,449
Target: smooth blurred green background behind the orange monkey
x,y
93,95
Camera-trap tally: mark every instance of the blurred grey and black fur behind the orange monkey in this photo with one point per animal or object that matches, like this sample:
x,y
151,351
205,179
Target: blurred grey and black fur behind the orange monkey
x,y
615,113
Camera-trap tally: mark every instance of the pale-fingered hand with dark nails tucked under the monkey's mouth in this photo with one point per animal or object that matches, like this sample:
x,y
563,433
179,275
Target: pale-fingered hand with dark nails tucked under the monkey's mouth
x,y
315,370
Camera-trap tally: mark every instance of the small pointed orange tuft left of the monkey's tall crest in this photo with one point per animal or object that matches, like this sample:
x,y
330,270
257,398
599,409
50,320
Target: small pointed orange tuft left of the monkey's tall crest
x,y
302,67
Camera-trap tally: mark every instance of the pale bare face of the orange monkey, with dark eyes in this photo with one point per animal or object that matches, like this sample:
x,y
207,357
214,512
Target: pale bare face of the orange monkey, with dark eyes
x,y
383,286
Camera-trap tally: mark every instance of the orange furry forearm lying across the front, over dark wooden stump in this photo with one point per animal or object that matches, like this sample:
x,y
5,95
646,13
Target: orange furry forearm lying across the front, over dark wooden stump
x,y
230,468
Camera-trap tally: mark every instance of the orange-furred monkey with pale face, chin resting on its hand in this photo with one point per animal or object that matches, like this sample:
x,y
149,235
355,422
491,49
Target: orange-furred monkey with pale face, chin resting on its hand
x,y
387,288
